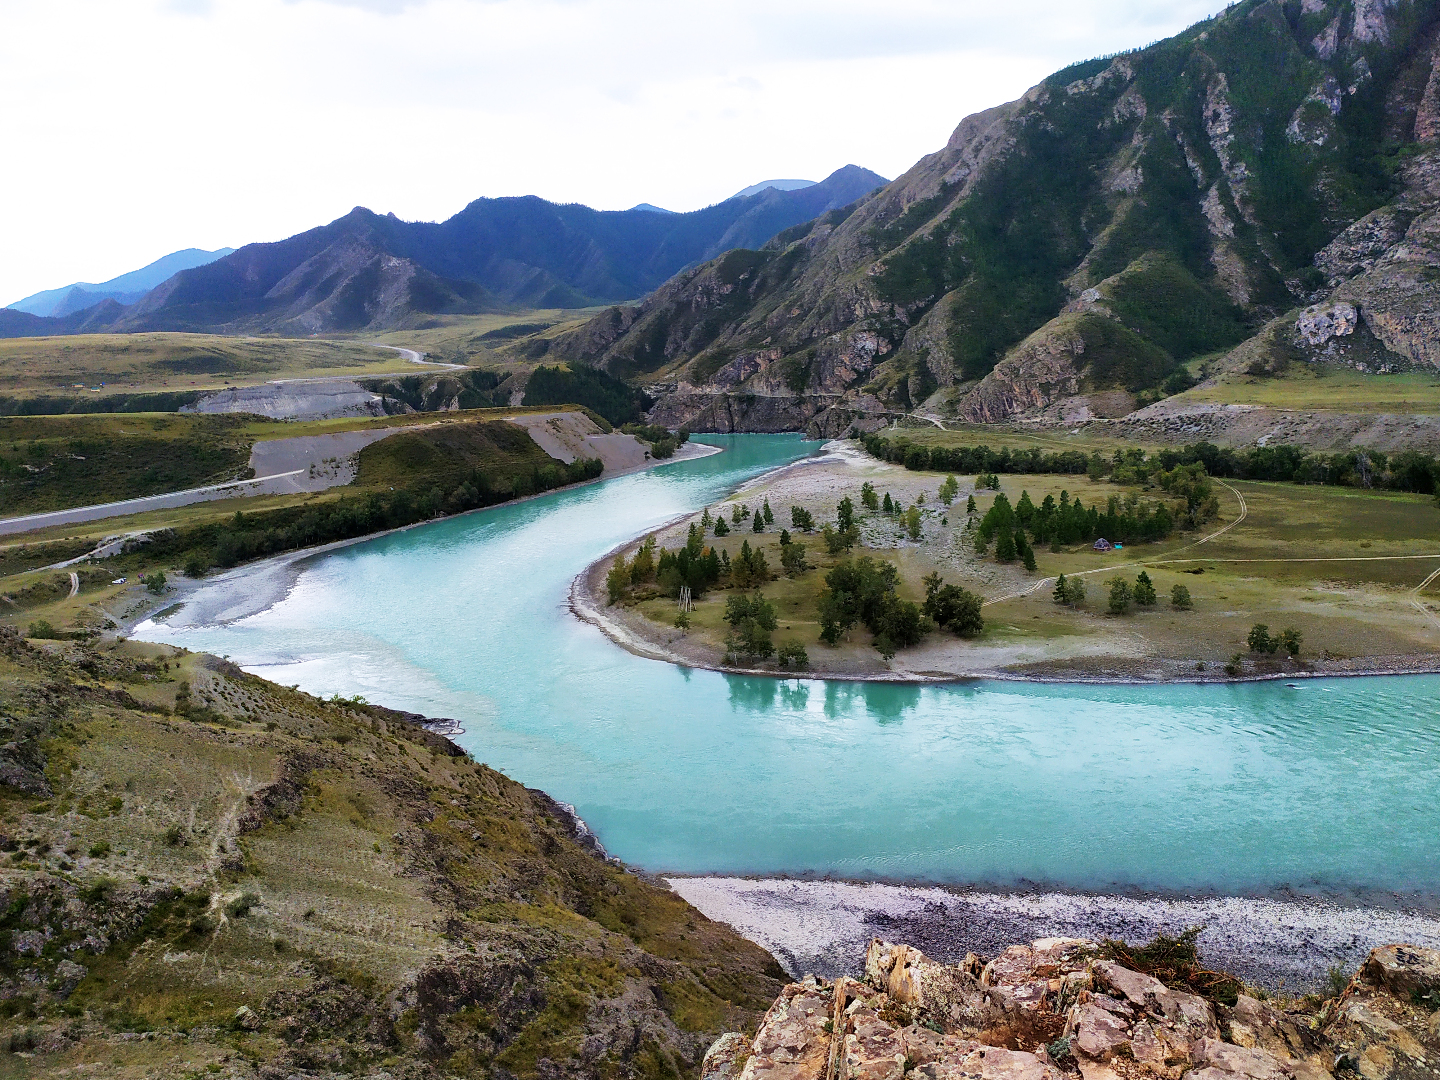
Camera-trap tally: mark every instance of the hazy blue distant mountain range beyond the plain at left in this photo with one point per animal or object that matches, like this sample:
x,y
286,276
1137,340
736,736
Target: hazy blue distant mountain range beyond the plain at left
x,y
366,271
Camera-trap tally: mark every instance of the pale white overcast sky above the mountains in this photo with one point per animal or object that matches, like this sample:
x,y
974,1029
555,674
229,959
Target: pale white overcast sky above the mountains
x,y
138,127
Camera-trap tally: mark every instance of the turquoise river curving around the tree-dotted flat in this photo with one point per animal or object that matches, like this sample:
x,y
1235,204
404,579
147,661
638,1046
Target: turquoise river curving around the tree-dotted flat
x,y
1245,788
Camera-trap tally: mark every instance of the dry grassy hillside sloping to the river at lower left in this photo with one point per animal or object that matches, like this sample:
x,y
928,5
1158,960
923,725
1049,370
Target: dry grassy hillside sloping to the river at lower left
x,y
211,873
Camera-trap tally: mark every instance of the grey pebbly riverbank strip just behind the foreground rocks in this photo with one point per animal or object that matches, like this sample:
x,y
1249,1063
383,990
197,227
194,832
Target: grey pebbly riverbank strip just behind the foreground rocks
x,y
1274,942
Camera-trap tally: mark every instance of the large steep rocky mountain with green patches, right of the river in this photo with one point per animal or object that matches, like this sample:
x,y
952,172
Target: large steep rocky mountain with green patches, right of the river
x,y
1259,189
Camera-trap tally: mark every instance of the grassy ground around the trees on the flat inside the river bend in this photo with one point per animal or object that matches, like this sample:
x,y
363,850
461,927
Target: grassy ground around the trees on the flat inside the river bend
x,y
1338,565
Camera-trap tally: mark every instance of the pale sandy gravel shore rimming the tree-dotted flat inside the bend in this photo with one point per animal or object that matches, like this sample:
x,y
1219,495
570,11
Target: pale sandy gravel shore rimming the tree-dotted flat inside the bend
x,y
1092,647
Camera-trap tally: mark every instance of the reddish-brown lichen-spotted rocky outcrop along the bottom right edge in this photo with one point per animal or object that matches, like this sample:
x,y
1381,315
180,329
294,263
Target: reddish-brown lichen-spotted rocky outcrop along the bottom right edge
x,y
1065,1009
